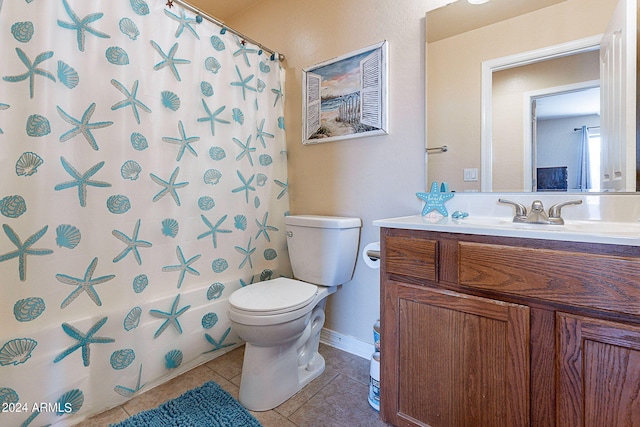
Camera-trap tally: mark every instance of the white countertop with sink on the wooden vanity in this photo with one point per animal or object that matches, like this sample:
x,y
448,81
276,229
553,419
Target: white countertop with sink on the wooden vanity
x,y
627,233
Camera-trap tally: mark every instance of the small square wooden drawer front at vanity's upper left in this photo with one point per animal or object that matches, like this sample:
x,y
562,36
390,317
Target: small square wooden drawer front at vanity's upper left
x,y
413,257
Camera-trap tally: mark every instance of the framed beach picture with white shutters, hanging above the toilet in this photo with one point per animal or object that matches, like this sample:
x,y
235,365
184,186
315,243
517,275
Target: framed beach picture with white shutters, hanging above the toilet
x,y
346,97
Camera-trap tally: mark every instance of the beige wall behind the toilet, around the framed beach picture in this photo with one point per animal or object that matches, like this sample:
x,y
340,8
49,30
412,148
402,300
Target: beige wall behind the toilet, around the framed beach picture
x,y
370,178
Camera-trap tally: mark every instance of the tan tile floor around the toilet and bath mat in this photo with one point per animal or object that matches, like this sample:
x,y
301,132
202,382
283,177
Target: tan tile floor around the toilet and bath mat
x,y
337,398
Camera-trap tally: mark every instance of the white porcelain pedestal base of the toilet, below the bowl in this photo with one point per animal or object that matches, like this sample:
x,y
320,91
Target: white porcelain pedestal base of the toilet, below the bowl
x,y
289,367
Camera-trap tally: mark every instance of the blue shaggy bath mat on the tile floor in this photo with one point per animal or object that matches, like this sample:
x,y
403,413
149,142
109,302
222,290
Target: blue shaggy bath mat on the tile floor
x,y
206,406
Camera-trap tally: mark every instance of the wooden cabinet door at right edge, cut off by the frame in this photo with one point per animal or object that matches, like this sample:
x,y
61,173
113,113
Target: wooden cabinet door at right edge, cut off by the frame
x,y
599,373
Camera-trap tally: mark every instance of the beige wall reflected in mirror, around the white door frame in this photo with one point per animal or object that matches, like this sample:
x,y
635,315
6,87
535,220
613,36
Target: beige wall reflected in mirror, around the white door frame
x,y
454,76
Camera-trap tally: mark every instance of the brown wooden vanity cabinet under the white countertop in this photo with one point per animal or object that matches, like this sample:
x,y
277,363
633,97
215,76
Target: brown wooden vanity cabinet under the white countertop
x,y
503,331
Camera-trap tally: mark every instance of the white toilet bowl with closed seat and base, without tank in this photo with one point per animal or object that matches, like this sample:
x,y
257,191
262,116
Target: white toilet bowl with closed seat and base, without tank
x,y
279,340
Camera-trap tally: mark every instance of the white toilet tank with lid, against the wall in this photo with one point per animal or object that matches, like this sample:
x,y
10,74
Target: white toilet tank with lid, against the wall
x,y
323,249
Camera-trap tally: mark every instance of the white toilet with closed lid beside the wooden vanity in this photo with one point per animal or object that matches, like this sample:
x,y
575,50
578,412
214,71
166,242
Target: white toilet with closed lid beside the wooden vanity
x,y
280,319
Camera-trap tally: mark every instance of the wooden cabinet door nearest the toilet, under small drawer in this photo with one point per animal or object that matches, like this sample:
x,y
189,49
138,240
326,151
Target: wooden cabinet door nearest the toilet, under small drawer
x,y
462,360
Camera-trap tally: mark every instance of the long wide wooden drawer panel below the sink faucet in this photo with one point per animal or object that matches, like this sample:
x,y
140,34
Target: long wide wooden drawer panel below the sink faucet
x,y
596,281
